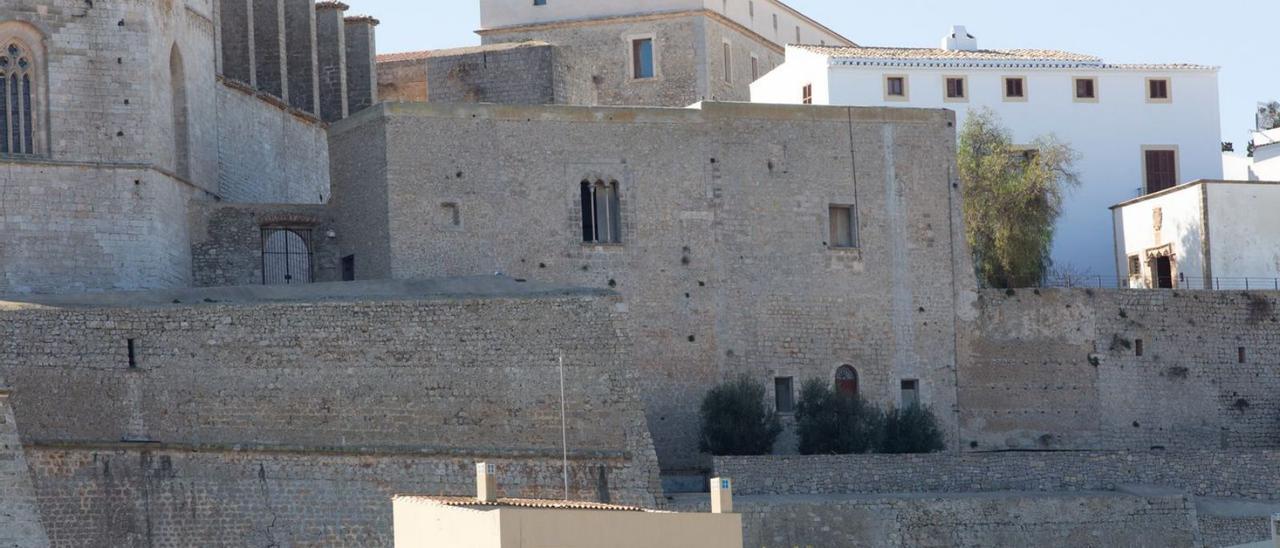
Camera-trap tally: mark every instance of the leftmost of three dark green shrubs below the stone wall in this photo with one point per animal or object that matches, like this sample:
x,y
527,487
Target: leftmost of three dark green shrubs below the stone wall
x,y
737,422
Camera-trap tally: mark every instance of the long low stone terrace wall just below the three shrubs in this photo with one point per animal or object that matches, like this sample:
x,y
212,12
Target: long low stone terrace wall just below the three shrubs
x,y
1240,474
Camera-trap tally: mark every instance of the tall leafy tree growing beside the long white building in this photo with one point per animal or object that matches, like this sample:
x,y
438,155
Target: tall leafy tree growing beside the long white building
x,y
1012,200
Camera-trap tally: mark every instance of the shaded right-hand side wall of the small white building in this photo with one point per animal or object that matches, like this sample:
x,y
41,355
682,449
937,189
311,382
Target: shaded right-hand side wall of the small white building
x,y
1245,234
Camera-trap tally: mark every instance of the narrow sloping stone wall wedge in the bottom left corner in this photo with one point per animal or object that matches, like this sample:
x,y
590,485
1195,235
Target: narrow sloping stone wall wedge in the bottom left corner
x,y
20,517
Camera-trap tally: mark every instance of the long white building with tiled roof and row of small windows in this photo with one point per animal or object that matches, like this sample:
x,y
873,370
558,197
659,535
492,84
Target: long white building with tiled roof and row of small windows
x,y
1140,129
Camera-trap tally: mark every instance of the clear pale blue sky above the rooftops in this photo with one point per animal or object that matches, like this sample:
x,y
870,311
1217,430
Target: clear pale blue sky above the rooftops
x,y
1233,35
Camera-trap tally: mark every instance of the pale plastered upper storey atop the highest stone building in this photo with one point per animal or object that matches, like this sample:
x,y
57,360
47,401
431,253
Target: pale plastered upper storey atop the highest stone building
x,y
772,20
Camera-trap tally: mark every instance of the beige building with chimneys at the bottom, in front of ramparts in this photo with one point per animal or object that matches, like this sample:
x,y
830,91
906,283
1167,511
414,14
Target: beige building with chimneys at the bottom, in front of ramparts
x,y
468,523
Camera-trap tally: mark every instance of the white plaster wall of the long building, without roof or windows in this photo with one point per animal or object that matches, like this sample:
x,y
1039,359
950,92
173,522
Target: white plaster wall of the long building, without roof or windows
x,y
1109,135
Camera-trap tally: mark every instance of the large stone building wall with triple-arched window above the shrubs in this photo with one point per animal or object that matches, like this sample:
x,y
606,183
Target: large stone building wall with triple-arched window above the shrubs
x,y
725,259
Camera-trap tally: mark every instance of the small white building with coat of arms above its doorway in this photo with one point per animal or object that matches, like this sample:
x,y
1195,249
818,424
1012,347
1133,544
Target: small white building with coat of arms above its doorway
x,y
1206,235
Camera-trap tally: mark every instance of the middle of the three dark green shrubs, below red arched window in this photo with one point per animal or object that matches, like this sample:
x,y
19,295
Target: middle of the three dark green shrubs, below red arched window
x,y
830,423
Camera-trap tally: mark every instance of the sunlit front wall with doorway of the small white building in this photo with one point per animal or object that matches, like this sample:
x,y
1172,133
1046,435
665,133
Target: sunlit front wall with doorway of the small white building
x,y
1182,229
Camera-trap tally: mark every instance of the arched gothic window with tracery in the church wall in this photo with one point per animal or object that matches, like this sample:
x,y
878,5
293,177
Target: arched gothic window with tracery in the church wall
x,y
20,90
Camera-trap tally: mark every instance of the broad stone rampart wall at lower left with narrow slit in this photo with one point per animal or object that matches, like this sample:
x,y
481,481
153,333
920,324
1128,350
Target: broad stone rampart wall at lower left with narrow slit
x,y
296,422
